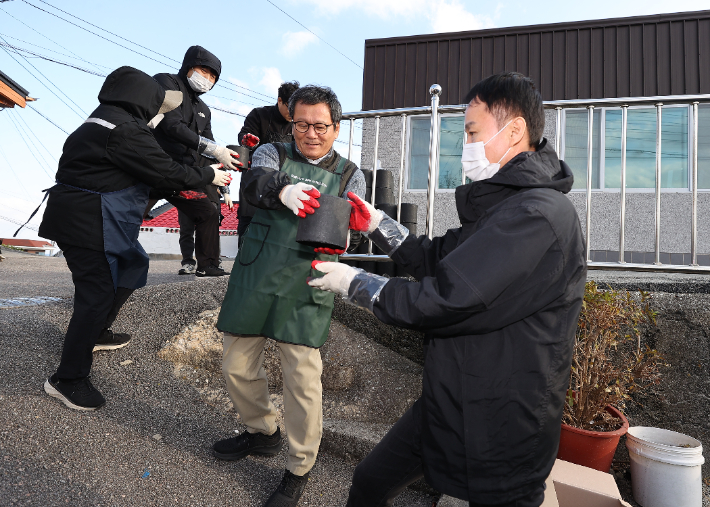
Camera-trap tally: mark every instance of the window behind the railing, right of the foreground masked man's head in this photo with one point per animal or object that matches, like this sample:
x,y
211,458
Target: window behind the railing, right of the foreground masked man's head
x,y
640,148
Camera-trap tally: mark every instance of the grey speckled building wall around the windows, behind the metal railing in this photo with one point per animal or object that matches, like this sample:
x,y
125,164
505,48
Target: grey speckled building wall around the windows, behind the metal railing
x,y
640,206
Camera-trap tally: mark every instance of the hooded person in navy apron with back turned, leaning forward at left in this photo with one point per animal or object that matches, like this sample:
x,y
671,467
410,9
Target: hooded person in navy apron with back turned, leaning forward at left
x,y
94,213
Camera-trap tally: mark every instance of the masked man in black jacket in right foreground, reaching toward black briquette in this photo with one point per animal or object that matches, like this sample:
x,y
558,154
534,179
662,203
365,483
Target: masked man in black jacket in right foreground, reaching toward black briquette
x,y
498,300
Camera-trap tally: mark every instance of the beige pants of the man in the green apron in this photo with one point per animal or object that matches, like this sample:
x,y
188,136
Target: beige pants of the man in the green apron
x,y
242,366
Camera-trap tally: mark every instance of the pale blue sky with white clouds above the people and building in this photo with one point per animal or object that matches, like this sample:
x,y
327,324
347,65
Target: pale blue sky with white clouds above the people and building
x,y
260,43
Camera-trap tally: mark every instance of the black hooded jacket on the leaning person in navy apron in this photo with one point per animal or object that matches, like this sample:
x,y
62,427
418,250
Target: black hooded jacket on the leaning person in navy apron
x,y
112,150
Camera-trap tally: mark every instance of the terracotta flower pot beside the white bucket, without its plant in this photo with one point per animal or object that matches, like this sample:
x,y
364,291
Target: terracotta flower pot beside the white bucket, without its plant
x,y
593,449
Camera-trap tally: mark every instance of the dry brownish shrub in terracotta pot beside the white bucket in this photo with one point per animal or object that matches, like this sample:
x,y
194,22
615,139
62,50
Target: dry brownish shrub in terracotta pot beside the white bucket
x,y
608,365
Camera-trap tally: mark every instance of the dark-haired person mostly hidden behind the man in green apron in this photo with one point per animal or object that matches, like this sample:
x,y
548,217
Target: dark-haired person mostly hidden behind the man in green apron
x,y
264,125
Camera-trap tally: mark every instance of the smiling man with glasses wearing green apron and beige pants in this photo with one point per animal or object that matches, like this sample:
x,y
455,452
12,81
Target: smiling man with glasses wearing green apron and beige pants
x,y
268,297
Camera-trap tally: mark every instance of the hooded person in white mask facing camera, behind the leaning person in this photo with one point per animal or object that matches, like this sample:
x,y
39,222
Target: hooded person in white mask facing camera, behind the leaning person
x,y
186,135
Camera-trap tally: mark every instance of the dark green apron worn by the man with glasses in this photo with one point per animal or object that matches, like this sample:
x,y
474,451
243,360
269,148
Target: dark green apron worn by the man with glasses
x,y
267,293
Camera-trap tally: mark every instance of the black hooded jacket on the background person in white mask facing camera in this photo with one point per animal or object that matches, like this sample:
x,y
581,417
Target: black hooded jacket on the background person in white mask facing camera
x,y
180,130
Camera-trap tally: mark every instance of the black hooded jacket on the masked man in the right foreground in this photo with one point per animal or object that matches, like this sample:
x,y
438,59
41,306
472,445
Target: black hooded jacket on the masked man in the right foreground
x,y
498,300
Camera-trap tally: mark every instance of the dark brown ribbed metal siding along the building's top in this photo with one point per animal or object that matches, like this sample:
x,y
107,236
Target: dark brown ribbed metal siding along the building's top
x,y
629,57
